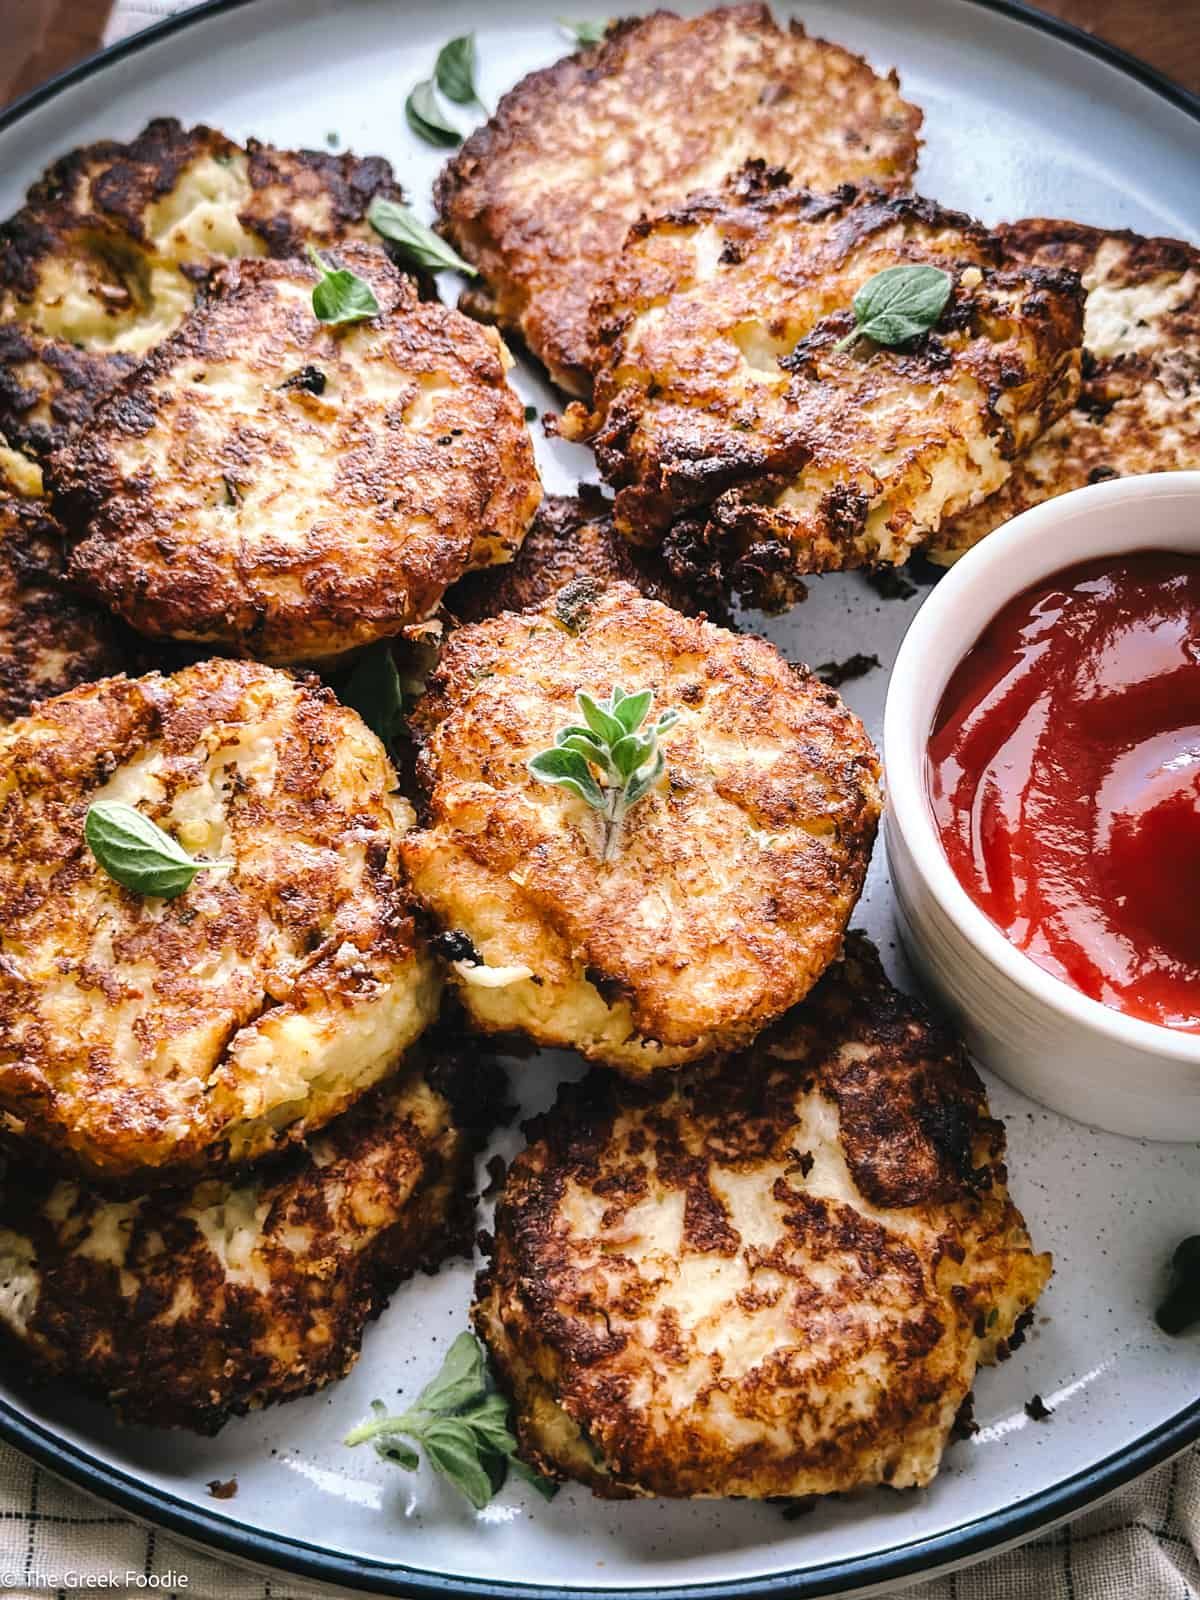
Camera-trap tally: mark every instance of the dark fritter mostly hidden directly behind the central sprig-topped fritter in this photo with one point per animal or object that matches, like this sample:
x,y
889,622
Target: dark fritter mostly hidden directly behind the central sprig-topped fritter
x,y
572,538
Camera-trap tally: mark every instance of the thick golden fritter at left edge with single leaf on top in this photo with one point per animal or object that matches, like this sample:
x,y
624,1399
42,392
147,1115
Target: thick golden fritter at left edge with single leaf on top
x,y
142,1036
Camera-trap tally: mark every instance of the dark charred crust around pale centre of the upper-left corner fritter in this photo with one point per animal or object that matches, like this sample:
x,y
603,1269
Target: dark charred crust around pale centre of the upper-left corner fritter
x,y
94,204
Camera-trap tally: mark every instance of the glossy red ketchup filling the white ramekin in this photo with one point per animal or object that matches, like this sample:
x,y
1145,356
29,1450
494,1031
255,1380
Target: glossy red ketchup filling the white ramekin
x,y
1065,777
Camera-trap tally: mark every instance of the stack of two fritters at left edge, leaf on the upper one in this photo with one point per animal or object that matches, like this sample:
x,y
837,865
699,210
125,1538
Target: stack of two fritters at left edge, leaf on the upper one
x,y
186,1052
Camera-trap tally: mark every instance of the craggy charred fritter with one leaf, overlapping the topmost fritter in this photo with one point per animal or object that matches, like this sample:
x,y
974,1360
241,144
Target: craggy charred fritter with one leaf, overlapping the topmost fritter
x,y
758,450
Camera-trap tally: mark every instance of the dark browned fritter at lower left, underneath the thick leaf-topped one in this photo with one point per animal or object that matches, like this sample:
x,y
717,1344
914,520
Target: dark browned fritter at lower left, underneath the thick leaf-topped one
x,y
190,1306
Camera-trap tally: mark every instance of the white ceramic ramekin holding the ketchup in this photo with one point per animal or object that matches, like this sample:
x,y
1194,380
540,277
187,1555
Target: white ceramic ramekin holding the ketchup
x,y
1055,1044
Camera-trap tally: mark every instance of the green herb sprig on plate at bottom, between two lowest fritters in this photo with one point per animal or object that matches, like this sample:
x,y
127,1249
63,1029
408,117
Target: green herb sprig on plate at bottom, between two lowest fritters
x,y
460,1423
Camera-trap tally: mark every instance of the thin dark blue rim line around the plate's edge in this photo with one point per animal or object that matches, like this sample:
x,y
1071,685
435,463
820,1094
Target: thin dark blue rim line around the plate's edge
x,y
961,1545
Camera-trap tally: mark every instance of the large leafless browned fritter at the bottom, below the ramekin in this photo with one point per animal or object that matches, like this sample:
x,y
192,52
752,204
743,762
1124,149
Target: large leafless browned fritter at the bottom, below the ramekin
x,y
774,1276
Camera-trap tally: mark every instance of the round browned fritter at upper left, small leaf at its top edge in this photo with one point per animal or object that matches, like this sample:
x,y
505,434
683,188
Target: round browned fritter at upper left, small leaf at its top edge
x,y
292,489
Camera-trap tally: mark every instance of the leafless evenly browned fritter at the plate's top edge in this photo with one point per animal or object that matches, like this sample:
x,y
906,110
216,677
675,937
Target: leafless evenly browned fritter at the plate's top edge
x,y
540,198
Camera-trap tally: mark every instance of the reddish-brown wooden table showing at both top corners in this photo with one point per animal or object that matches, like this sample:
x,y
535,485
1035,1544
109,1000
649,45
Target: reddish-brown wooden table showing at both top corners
x,y
41,38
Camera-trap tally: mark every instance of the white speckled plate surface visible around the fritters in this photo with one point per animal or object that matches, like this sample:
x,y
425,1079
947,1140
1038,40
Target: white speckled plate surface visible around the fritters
x,y
1023,118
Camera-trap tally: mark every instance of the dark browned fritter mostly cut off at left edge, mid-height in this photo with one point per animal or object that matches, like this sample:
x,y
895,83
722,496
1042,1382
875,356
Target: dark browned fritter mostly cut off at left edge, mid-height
x,y
50,639
